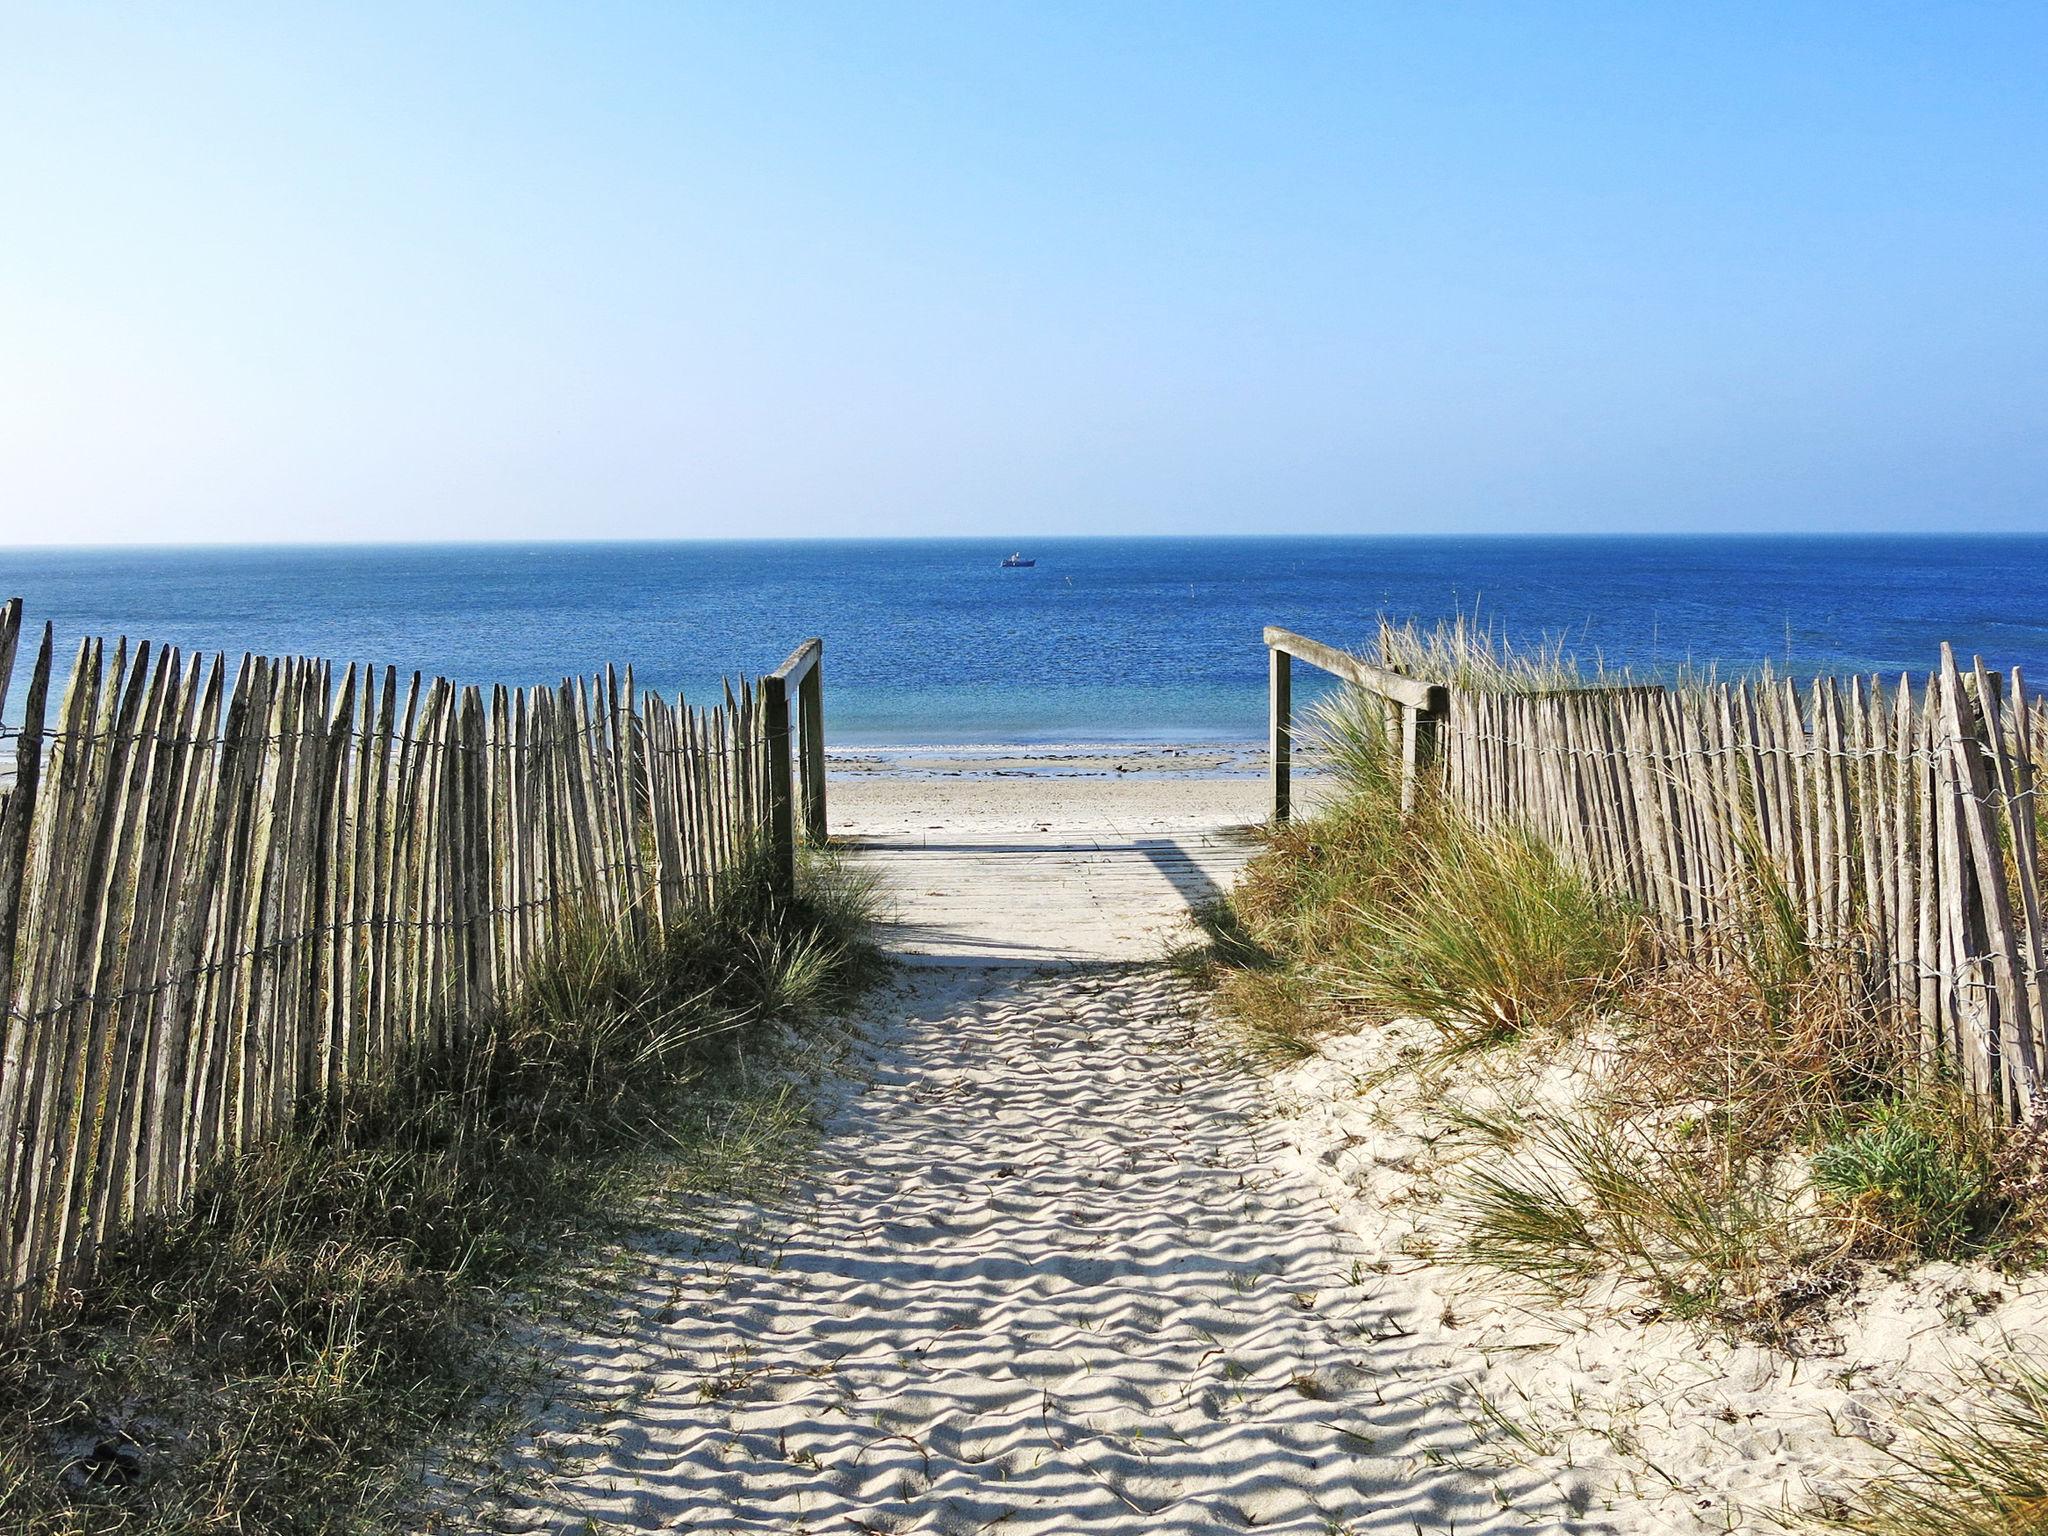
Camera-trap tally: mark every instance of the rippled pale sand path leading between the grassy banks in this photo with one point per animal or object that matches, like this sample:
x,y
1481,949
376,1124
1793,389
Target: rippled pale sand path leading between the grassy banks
x,y
1048,1275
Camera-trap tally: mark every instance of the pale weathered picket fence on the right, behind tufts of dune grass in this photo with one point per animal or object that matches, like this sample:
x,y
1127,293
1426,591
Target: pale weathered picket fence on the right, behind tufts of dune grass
x,y
1902,820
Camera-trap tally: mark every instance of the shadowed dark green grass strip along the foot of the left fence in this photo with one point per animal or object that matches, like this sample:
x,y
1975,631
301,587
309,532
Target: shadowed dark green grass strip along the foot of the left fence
x,y
278,1357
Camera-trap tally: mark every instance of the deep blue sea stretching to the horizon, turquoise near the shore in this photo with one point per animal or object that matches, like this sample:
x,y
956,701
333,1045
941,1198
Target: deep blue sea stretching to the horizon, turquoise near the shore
x,y
1105,640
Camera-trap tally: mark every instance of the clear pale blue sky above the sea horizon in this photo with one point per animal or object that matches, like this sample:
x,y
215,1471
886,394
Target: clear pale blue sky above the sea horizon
x,y
437,271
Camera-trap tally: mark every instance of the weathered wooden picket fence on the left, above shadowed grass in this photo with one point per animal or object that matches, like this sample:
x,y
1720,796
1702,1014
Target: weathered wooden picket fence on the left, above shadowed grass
x,y
228,896
